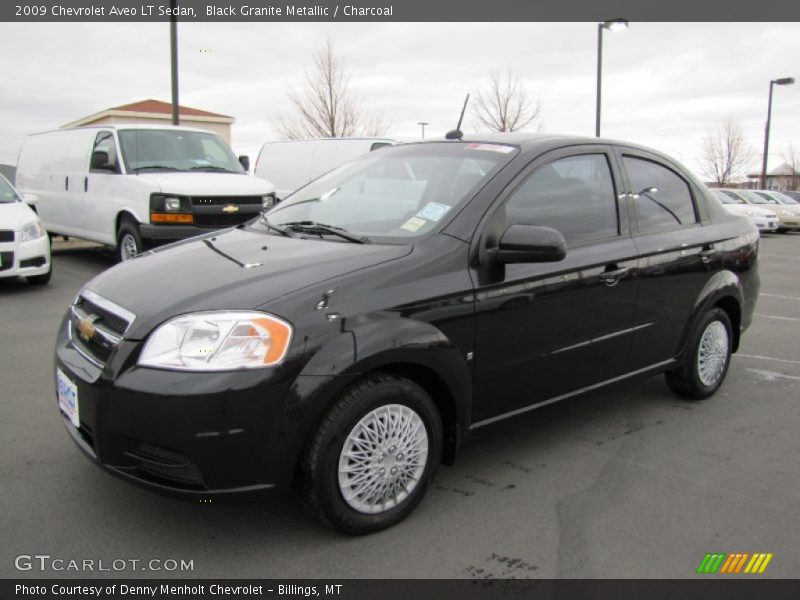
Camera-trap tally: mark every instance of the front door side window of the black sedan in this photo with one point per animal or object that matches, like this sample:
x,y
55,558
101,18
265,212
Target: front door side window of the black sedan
x,y
574,195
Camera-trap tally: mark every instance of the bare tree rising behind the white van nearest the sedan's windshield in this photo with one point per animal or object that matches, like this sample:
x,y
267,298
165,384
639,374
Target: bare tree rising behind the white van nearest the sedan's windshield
x,y
327,106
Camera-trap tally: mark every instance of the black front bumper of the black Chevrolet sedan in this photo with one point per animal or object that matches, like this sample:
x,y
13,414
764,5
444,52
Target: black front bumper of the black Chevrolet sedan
x,y
191,435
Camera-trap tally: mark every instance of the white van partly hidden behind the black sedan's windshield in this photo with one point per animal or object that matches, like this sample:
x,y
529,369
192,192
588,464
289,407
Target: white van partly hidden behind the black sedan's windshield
x,y
290,165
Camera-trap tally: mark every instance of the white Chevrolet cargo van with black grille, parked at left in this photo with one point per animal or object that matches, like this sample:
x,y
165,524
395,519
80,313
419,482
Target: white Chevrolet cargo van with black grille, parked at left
x,y
135,186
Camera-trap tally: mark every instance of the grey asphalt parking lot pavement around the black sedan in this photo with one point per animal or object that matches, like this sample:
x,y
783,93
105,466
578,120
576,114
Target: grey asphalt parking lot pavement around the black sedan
x,y
627,482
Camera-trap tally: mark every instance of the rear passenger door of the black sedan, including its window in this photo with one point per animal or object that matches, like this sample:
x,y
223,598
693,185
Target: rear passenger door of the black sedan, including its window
x,y
677,256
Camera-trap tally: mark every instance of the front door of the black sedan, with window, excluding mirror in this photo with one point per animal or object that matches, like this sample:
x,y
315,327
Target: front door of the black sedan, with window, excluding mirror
x,y
549,329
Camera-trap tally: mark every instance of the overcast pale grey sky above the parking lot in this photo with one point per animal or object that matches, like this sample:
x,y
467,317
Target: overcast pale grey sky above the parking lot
x,y
664,84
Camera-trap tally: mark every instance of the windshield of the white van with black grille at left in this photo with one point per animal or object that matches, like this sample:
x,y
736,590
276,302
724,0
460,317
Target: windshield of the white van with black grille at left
x,y
176,150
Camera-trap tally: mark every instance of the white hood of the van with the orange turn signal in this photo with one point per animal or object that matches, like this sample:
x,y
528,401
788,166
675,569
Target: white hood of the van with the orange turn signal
x,y
200,183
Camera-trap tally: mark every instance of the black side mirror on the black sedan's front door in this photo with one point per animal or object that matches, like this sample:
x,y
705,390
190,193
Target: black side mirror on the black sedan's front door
x,y
529,244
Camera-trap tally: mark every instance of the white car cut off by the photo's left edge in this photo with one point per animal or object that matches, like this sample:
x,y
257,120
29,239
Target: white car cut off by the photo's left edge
x,y
24,245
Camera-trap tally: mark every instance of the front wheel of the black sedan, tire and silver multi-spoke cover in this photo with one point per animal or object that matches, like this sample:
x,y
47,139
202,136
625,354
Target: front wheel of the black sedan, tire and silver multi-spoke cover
x,y
329,468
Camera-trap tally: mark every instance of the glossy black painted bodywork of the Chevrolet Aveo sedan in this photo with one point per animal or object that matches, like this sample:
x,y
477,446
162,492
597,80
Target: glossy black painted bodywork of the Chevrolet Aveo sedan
x,y
483,339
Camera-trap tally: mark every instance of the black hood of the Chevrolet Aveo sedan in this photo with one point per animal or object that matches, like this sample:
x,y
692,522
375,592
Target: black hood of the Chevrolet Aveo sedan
x,y
236,269
